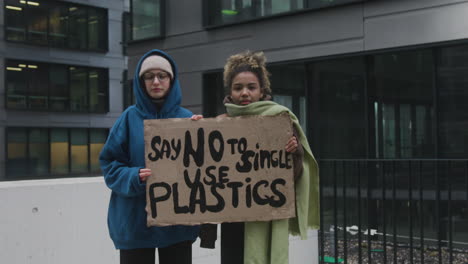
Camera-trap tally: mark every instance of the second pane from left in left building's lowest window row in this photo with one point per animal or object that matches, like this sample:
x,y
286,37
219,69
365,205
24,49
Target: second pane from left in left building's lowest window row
x,y
39,151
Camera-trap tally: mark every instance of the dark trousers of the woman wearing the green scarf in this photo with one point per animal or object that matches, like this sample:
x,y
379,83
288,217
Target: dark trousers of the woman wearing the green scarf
x,y
232,243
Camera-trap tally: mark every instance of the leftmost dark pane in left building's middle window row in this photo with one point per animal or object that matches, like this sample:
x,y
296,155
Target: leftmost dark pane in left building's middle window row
x,y
16,85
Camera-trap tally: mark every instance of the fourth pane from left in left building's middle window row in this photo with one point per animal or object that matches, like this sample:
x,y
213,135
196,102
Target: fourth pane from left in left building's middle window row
x,y
78,89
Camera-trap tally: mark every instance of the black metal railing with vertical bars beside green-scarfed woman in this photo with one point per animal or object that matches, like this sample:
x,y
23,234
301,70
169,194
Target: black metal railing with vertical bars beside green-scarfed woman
x,y
394,211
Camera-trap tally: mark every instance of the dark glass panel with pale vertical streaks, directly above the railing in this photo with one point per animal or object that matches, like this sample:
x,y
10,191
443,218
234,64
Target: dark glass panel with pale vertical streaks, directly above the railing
x,y
402,103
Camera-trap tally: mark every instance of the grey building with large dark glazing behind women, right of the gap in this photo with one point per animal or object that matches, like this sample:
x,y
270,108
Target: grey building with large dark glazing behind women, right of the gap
x,y
379,86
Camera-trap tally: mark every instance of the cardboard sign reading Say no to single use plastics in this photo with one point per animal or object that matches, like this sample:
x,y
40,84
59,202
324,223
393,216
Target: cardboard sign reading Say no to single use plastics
x,y
231,169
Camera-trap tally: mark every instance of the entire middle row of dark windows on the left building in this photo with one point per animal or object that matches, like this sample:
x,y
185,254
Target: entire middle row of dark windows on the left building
x,y
42,86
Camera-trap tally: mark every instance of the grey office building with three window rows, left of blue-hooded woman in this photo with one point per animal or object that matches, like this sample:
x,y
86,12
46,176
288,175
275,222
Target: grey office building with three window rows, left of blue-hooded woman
x,y
62,65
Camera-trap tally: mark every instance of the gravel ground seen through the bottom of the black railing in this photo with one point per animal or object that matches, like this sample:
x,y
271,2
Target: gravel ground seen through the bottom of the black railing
x,y
431,254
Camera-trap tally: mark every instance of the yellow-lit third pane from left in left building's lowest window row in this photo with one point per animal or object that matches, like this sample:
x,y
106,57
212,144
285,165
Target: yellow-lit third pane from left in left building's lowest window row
x,y
59,151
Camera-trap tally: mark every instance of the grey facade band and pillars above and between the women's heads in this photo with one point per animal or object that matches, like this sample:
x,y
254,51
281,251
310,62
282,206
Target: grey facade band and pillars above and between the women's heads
x,y
355,28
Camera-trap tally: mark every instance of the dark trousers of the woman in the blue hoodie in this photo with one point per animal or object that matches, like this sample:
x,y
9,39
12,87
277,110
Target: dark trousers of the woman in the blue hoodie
x,y
180,253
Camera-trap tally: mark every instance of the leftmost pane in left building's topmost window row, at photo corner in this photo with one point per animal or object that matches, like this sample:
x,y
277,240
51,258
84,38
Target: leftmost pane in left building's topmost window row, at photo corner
x,y
15,23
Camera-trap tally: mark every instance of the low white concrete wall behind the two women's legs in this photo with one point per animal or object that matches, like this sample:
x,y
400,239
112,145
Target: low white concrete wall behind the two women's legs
x,y
64,221
